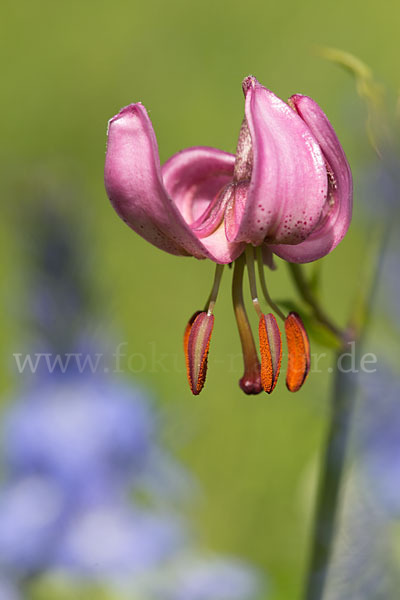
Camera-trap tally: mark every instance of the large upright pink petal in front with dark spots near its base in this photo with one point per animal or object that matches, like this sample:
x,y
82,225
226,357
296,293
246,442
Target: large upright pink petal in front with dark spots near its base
x,y
289,184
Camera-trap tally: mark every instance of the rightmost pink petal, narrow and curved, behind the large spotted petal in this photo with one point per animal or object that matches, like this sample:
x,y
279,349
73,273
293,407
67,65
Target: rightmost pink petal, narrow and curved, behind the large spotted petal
x,y
336,216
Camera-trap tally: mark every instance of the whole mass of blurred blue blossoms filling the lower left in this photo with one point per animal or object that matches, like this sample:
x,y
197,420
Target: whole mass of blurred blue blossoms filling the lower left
x,y
73,449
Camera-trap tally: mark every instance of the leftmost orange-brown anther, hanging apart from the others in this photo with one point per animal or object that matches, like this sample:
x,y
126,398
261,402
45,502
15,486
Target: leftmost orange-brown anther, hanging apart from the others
x,y
196,342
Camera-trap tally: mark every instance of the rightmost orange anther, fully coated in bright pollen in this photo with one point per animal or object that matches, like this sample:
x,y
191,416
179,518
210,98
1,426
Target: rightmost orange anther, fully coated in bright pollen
x,y
299,358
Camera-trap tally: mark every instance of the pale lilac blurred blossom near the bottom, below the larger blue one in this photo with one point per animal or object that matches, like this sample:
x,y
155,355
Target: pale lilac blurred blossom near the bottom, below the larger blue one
x,y
114,541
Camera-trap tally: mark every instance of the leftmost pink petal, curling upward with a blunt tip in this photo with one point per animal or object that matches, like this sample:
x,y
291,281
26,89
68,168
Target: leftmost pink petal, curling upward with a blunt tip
x,y
135,187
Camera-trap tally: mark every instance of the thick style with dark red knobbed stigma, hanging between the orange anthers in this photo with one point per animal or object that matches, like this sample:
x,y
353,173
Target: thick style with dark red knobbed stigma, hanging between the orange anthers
x,y
250,383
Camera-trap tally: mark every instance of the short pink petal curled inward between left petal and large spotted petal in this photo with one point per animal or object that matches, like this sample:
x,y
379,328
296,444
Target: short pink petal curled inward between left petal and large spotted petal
x,y
198,180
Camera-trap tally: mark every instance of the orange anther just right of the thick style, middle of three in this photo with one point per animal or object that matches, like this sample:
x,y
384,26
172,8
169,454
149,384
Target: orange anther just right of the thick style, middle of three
x,y
270,350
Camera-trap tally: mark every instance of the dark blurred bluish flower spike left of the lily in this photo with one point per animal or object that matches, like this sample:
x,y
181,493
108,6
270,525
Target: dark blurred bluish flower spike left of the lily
x,y
60,299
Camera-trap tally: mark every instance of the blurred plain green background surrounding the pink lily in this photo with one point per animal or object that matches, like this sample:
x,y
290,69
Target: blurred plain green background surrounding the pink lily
x,y
70,66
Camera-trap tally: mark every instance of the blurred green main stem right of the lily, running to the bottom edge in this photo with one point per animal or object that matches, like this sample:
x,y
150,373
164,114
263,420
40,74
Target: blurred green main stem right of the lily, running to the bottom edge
x,y
342,408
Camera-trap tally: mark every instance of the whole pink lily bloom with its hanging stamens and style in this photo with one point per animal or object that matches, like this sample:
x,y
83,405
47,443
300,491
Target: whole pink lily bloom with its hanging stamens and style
x,y
287,191
